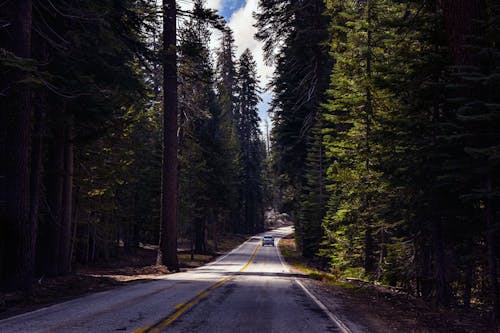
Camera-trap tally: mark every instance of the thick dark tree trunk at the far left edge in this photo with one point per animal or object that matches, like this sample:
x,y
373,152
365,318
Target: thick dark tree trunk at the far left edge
x,y
20,235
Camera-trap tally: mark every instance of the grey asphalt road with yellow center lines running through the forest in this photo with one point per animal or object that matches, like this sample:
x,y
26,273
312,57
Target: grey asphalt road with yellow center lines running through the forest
x,y
248,290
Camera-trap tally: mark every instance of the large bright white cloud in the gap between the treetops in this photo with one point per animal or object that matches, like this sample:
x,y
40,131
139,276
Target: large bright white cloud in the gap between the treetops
x,y
241,23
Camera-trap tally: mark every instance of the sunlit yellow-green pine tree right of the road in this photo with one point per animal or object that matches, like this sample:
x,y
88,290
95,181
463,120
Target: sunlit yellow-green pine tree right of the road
x,y
379,136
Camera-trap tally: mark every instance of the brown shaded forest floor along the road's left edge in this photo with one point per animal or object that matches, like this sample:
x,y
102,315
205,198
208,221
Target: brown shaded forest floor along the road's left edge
x,y
119,271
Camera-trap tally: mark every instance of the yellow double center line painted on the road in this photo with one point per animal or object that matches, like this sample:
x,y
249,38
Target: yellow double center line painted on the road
x,y
181,308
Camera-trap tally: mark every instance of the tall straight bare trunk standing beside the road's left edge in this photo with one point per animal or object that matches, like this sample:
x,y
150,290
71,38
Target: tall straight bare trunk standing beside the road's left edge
x,y
167,251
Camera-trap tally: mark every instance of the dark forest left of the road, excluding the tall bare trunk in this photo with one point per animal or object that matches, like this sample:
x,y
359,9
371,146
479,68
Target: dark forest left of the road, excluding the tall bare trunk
x,y
81,134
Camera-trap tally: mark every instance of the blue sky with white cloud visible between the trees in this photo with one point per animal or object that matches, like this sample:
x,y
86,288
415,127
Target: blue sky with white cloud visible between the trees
x,y
238,14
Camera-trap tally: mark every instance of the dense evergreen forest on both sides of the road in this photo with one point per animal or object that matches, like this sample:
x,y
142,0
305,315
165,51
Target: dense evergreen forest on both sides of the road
x,y
120,127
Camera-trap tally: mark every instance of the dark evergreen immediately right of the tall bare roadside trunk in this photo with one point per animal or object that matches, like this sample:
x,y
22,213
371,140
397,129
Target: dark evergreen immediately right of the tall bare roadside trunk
x,y
199,121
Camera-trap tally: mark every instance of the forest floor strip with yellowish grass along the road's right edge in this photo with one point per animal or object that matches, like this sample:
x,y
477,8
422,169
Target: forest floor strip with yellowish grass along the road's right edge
x,y
382,309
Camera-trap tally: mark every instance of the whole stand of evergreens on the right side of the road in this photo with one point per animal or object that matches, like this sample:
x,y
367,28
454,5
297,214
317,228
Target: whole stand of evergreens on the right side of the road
x,y
386,124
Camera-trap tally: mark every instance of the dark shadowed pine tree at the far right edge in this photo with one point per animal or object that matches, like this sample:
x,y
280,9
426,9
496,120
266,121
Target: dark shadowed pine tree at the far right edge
x,y
473,45
